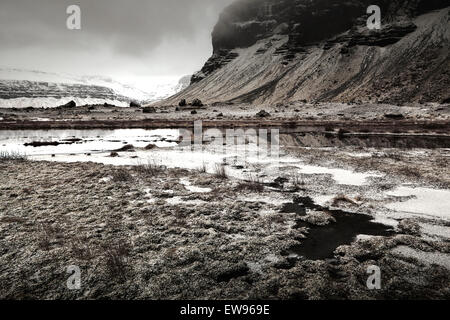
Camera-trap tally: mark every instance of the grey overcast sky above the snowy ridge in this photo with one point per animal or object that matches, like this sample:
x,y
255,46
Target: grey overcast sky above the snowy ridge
x,y
118,38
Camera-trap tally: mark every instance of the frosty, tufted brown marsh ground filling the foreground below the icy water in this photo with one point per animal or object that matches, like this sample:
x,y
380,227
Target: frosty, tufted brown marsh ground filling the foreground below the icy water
x,y
146,232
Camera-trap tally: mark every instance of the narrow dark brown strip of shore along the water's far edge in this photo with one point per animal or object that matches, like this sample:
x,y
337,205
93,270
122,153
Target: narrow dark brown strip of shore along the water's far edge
x,y
439,127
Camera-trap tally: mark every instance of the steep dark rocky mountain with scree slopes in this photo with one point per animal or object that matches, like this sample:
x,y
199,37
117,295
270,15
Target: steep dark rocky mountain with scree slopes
x,y
273,51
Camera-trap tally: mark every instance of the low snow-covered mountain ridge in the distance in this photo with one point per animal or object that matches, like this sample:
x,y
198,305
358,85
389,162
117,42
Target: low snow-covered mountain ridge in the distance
x,y
24,88
